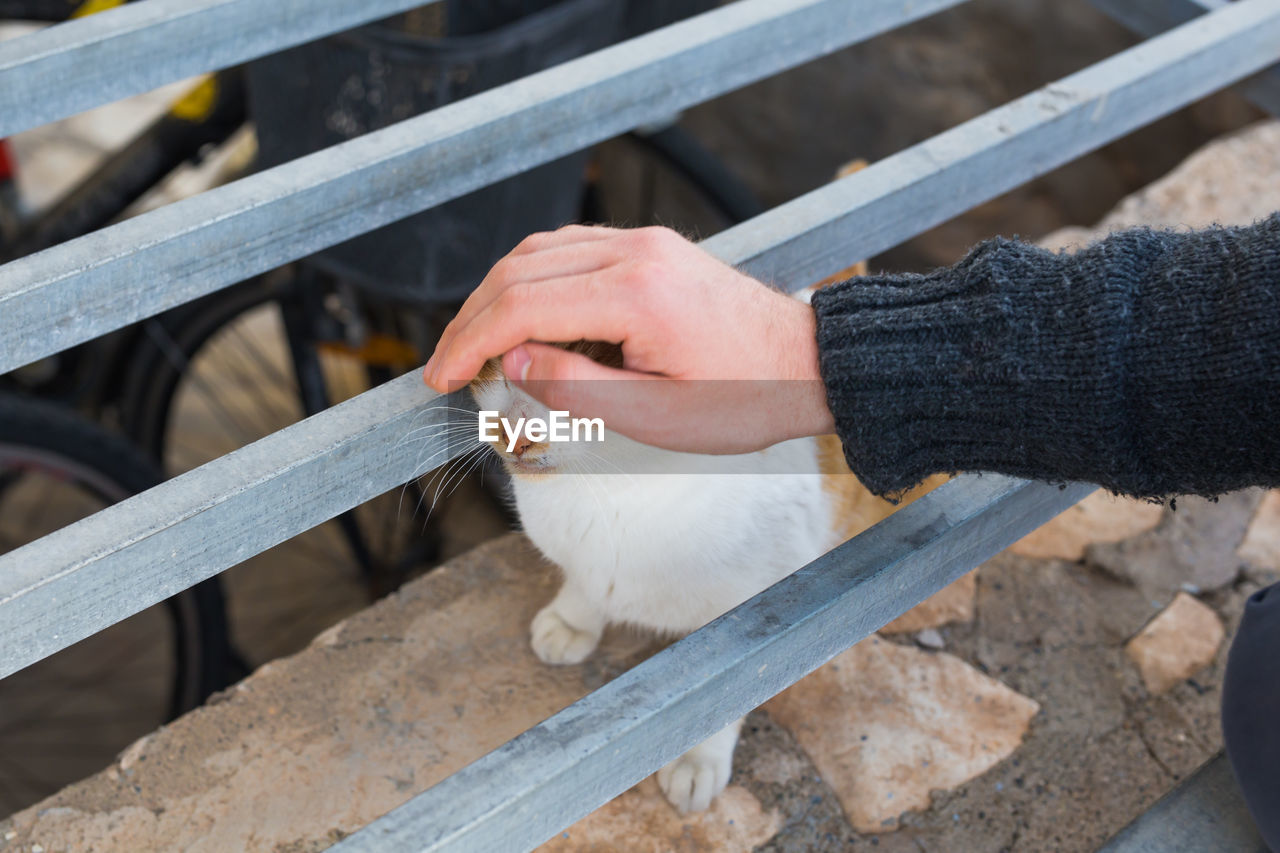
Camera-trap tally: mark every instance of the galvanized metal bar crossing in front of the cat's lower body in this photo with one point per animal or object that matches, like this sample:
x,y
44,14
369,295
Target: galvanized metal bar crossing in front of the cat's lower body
x,y
561,770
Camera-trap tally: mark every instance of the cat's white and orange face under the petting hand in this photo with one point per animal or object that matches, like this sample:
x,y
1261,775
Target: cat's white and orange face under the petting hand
x,y
523,458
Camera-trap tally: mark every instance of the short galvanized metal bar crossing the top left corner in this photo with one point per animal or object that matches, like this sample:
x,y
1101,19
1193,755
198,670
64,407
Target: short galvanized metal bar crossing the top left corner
x,y
88,62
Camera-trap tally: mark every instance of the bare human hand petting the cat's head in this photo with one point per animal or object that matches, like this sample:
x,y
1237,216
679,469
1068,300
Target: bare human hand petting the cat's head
x,y
714,362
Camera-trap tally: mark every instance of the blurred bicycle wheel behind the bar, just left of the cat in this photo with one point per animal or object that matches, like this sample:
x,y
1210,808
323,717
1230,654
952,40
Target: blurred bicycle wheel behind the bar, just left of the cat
x,y
217,376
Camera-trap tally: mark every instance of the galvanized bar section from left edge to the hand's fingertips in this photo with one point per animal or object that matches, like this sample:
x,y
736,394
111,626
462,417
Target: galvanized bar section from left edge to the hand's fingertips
x,y
103,569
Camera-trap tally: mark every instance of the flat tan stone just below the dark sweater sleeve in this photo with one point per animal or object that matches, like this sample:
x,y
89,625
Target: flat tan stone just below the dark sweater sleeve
x,y
1100,518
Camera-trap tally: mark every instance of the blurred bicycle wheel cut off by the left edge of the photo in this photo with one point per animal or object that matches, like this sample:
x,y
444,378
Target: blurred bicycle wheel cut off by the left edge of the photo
x,y
68,715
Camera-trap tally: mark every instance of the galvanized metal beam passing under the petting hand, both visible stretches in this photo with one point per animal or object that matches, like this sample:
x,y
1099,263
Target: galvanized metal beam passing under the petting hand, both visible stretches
x,y
139,553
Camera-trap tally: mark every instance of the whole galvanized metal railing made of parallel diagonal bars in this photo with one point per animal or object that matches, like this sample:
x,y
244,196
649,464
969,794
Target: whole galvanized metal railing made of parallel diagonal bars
x,y
103,569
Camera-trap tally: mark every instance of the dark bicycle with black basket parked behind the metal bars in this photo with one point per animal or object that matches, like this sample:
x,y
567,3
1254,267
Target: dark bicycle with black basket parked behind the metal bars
x,y
213,376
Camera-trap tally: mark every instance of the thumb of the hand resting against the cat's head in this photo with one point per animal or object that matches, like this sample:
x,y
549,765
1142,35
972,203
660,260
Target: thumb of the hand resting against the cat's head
x,y
575,384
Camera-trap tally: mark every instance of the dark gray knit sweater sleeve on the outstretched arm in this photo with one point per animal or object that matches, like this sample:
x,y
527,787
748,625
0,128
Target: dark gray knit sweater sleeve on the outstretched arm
x,y
1149,363
